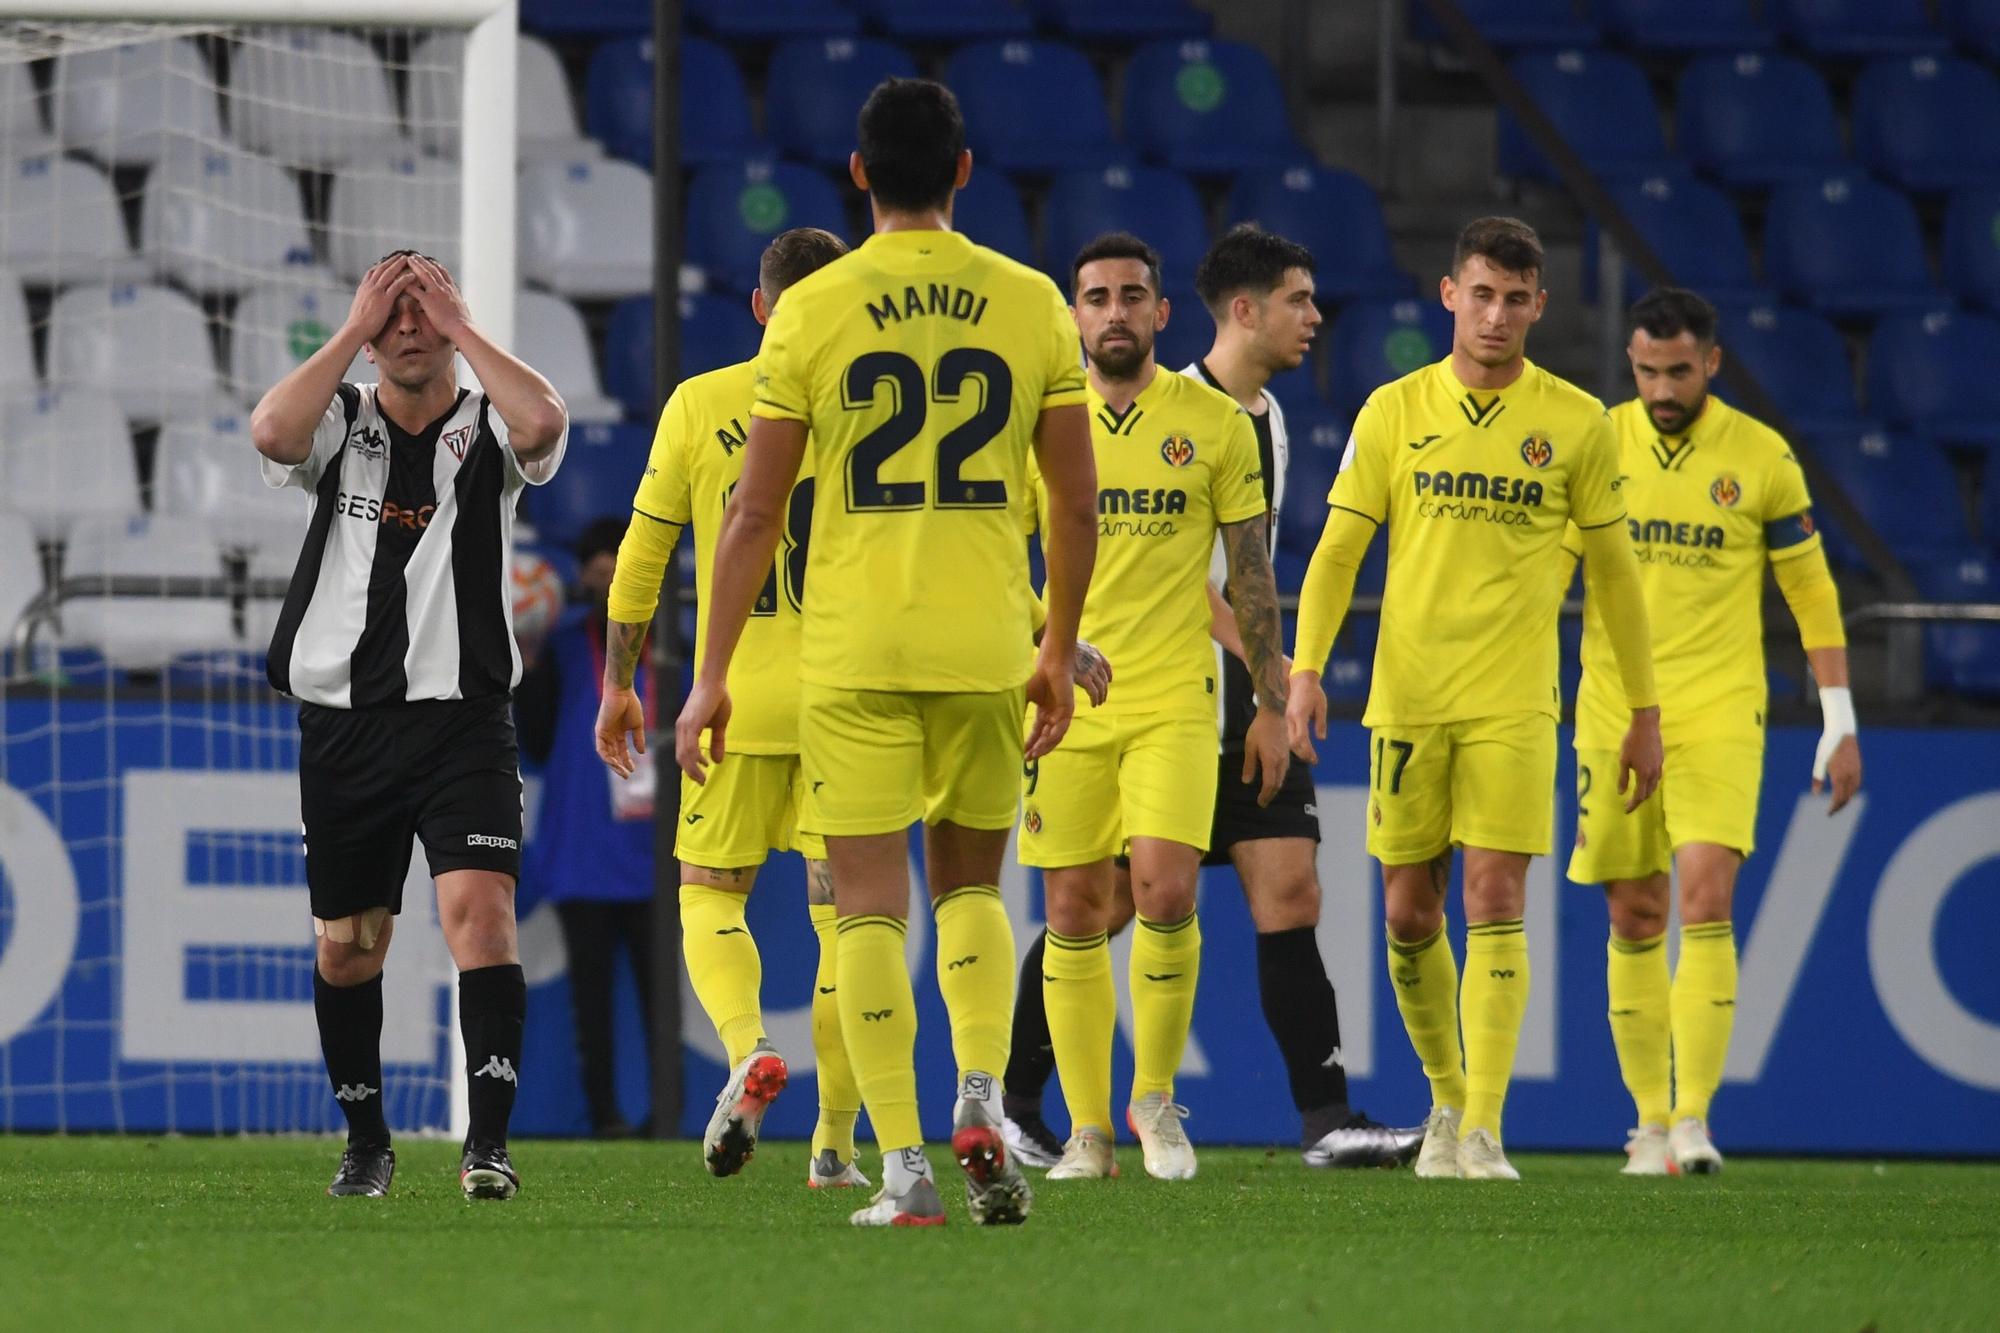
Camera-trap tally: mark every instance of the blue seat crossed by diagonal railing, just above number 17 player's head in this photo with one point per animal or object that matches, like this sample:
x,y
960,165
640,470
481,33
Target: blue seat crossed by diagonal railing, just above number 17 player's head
x,y
1603,107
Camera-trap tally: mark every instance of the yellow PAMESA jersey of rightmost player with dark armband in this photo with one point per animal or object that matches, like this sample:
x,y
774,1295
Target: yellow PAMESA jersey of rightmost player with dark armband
x,y
1707,511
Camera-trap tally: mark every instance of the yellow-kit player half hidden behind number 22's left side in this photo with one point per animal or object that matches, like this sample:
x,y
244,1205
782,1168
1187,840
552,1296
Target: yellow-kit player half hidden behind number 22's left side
x,y
751,810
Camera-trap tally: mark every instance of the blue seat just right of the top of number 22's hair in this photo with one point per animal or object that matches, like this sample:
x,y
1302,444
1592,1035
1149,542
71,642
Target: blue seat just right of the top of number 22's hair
x,y
1033,107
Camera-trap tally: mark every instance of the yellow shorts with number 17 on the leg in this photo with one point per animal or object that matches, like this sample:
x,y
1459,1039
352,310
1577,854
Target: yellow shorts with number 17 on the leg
x,y
1481,784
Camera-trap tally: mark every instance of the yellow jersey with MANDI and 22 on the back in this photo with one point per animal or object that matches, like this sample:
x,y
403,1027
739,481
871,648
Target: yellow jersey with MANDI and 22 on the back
x,y
921,363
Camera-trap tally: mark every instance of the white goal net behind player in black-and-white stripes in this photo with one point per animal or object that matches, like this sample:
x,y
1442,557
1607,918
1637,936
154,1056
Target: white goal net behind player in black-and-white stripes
x,y
185,211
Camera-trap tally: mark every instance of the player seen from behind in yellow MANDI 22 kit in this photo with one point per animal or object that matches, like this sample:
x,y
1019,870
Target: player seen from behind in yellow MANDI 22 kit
x,y
925,369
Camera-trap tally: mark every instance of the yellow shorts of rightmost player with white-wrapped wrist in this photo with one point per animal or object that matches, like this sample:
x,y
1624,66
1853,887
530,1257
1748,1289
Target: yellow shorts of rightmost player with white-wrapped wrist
x,y
1707,794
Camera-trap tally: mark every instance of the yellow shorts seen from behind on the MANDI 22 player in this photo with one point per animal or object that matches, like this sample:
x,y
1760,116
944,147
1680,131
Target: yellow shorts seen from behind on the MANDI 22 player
x,y
879,762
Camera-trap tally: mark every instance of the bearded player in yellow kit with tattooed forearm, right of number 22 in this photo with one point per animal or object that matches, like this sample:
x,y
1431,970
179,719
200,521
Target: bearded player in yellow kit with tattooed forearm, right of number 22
x,y
1177,465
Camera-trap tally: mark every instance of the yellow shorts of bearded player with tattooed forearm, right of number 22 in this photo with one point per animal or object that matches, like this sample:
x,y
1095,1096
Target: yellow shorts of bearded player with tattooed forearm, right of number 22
x,y
1143,776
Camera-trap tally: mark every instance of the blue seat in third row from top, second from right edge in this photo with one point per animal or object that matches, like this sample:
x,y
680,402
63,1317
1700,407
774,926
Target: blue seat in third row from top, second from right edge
x,y
1847,247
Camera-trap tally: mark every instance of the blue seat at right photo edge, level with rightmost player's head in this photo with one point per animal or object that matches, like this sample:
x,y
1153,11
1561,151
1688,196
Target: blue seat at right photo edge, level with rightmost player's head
x,y
1937,375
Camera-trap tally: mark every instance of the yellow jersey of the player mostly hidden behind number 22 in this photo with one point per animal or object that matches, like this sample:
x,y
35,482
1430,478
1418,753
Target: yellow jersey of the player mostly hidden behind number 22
x,y
697,459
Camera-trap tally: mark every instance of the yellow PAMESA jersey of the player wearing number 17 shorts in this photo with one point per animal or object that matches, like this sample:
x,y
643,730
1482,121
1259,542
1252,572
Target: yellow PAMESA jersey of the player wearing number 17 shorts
x,y
1477,487
